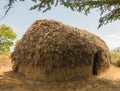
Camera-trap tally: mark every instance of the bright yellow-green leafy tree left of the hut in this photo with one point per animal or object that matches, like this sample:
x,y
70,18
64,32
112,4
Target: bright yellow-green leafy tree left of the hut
x,y
6,38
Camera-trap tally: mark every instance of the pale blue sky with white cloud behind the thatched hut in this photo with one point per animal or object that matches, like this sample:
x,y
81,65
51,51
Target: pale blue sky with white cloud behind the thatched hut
x,y
20,18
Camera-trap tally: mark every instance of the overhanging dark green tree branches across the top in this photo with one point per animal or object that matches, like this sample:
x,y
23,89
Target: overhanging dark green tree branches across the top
x,y
109,9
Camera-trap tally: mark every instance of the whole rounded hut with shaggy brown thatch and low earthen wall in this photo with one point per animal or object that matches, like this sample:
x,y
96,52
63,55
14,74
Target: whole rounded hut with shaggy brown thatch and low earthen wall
x,y
52,51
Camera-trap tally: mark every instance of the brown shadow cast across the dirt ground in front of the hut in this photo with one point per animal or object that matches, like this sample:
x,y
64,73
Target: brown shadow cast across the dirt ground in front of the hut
x,y
16,82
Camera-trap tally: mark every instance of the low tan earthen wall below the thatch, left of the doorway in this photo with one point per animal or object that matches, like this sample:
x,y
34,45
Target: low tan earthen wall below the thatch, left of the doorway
x,y
58,74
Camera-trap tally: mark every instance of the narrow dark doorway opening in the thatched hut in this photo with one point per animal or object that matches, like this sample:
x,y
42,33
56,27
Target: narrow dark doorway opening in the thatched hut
x,y
95,62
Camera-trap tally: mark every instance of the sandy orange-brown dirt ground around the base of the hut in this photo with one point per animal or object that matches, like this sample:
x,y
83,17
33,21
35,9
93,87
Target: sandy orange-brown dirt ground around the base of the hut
x,y
9,81
